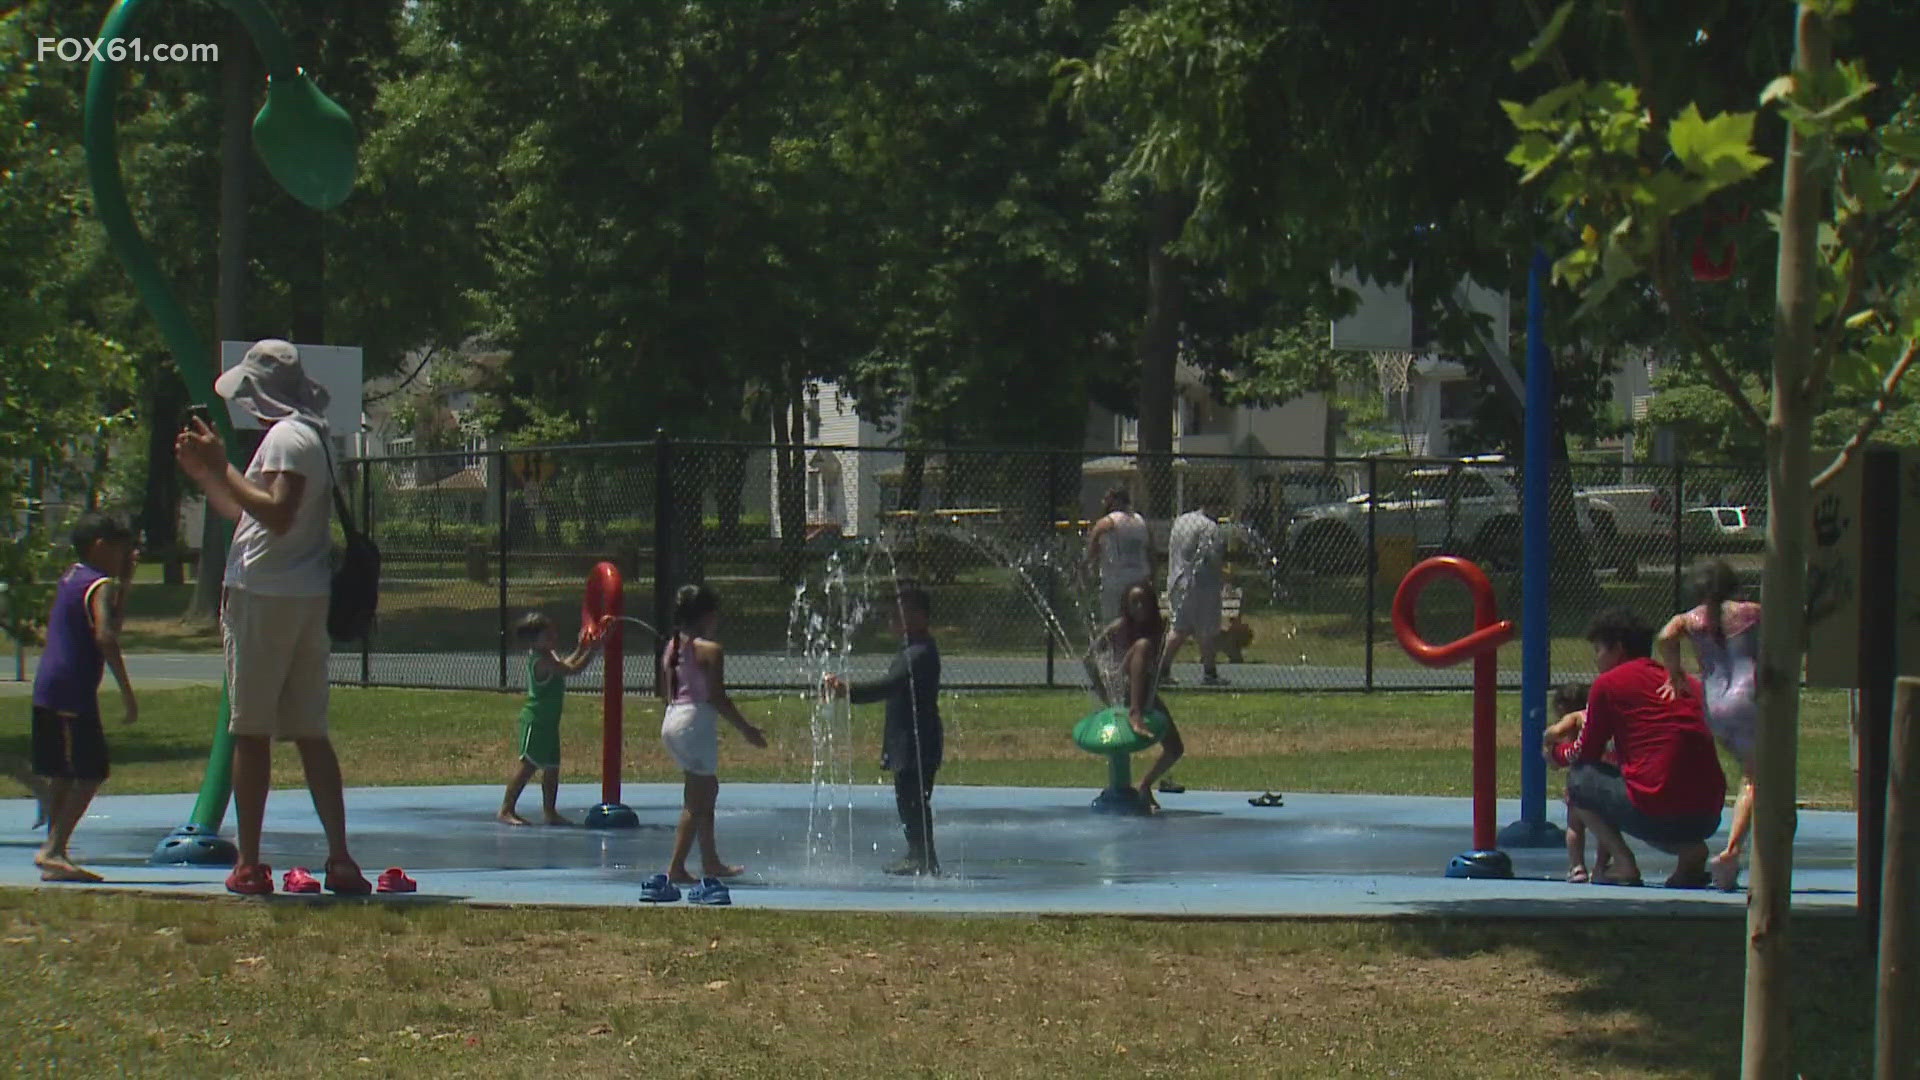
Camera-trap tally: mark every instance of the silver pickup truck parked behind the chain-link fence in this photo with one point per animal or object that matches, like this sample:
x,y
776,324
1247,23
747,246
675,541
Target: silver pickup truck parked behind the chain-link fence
x,y
1470,510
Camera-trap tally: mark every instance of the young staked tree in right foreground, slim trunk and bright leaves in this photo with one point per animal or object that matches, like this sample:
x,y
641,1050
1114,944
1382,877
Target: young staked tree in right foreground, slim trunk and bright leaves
x,y
1641,162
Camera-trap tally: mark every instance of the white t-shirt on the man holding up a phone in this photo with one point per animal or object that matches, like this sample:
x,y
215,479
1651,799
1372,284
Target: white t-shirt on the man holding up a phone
x,y
300,560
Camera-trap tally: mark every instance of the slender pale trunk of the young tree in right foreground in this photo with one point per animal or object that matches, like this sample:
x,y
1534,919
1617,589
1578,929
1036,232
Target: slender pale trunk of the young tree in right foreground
x,y
1767,1033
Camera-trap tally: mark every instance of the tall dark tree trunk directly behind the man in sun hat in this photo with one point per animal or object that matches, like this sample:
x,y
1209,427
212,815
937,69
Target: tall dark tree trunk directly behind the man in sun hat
x,y
237,162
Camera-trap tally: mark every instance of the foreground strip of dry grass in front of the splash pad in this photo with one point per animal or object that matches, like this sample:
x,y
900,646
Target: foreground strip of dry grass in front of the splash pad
x,y
120,985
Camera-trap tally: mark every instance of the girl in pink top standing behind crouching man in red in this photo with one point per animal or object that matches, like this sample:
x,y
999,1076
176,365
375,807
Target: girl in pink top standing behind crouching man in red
x,y
1727,643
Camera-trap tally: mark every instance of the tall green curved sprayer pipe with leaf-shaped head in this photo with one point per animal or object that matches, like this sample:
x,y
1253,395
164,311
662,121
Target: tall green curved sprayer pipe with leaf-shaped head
x,y
306,141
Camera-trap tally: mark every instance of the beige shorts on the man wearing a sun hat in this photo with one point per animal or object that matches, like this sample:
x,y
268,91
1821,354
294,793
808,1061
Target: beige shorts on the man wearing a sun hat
x,y
277,650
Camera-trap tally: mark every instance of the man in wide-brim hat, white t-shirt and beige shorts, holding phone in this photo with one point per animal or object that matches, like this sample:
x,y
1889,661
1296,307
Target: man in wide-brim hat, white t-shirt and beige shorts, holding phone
x,y
274,604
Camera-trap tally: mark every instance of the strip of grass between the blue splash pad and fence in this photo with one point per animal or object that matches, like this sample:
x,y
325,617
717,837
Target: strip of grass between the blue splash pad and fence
x,y
1291,743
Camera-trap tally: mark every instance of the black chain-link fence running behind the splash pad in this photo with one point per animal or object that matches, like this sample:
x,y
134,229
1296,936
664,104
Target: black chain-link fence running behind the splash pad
x,y
805,543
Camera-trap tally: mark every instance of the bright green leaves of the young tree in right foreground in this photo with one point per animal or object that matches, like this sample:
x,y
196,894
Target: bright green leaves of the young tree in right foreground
x,y
1643,182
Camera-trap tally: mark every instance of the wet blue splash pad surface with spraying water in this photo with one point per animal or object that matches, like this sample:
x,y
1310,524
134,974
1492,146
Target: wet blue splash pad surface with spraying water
x,y
821,845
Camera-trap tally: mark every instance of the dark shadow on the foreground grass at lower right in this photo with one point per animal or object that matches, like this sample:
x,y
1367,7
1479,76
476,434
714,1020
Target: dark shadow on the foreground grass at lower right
x,y
1679,979
